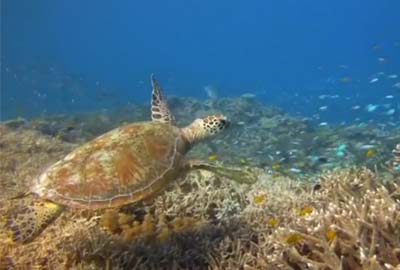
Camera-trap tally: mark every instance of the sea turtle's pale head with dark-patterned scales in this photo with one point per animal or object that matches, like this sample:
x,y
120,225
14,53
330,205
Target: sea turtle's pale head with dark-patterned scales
x,y
206,127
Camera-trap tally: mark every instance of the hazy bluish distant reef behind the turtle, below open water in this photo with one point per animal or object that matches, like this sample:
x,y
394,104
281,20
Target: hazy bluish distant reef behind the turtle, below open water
x,y
260,135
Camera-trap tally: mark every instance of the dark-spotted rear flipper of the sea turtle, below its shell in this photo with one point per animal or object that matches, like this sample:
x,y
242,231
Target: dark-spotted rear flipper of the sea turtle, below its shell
x,y
25,222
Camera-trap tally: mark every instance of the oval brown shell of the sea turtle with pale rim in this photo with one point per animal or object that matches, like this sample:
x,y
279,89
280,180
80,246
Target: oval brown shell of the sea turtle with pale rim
x,y
123,166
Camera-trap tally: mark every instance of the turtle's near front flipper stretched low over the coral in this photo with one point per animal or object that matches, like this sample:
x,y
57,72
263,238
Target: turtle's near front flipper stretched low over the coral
x,y
245,175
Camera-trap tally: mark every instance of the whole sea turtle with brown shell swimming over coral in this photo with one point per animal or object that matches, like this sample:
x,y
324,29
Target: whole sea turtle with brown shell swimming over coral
x,y
123,166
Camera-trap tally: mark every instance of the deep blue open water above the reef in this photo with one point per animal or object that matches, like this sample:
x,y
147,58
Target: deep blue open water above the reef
x,y
84,55
